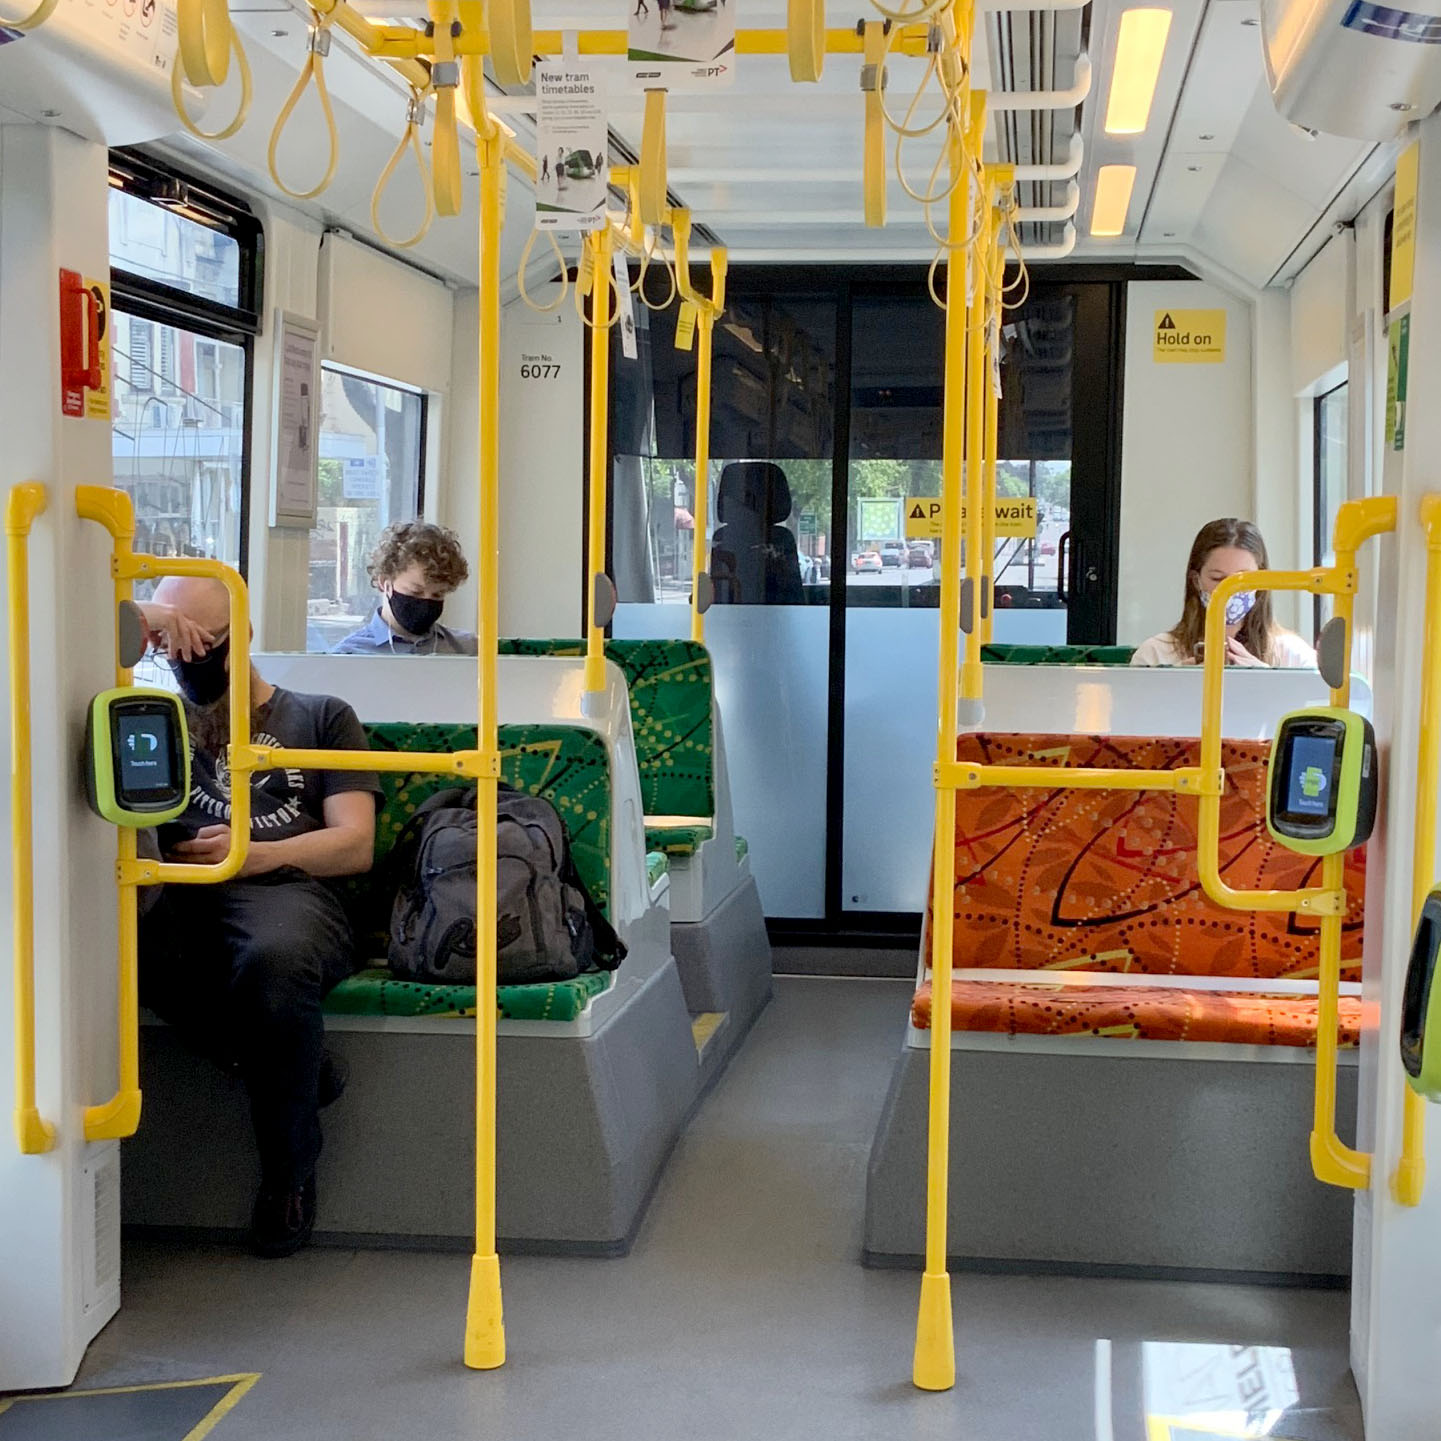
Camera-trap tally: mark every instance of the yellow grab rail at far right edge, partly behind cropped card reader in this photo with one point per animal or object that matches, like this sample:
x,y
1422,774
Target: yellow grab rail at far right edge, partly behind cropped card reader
x,y
1409,1181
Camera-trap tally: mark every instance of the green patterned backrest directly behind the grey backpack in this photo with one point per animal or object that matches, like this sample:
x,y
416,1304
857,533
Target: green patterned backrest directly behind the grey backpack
x,y
568,766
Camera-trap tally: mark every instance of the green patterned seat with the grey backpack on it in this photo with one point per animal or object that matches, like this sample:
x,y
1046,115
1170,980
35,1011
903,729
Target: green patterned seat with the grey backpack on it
x,y
570,767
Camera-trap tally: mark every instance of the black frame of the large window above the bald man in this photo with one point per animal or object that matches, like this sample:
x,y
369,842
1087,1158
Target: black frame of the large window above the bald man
x,y
158,303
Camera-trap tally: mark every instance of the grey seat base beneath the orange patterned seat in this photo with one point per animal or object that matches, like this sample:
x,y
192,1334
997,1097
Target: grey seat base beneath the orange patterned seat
x,y
1154,1165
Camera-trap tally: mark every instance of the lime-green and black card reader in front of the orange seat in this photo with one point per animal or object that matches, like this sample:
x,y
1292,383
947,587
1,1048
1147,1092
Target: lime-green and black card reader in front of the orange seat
x,y
1322,782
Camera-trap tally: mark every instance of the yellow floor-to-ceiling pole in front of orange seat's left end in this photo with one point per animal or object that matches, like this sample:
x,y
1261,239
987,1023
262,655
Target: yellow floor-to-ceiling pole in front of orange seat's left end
x,y
934,1364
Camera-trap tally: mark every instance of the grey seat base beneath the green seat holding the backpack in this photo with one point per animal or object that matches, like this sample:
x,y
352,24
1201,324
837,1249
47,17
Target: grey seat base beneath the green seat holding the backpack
x,y
584,1128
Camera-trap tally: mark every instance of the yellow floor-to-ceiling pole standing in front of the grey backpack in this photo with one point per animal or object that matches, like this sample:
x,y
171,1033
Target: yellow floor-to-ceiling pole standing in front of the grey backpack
x,y
485,1324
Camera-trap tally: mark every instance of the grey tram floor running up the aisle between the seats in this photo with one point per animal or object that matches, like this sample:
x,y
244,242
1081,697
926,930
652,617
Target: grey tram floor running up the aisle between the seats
x,y
743,1312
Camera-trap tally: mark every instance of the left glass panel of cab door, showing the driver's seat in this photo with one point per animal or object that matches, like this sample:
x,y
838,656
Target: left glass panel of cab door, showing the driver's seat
x,y
770,524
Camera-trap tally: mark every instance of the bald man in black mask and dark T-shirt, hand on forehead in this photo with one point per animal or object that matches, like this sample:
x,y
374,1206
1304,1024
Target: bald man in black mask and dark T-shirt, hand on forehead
x,y
246,965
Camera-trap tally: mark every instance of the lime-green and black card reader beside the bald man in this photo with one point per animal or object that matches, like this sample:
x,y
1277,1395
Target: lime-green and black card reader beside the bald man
x,y
138,757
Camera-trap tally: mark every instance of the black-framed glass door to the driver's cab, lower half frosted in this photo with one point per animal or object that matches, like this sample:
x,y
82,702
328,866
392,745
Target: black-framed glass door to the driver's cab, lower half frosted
x,y
826,439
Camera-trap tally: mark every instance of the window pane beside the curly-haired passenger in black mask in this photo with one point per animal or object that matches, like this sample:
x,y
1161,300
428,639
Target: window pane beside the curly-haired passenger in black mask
x,y
372,462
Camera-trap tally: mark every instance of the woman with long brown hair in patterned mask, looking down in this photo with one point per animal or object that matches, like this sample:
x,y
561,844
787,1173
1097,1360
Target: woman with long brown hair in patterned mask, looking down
x,y
1221,550
